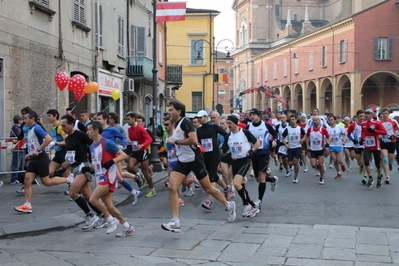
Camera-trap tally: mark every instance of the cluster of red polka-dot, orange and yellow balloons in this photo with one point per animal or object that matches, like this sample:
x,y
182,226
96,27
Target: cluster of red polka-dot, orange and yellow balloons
x,y
77,83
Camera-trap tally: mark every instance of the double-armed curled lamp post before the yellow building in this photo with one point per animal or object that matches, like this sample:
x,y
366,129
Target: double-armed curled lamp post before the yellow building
x,y
213,59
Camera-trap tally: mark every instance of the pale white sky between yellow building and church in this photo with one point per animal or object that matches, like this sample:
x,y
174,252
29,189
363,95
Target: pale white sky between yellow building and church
x,y
224,22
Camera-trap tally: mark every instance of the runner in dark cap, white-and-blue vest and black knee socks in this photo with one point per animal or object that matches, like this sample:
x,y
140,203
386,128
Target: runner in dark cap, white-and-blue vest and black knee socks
x,y
260,161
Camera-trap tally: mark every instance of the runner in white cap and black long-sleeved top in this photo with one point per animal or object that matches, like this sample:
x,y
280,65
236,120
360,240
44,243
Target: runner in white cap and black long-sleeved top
x,y
208,137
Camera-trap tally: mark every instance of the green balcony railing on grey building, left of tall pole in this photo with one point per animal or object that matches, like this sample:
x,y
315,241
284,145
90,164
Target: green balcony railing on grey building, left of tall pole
x,y
139,66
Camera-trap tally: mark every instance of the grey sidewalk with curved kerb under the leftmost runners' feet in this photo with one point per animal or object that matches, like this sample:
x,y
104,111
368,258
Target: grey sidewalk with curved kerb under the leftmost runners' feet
x,y
52,209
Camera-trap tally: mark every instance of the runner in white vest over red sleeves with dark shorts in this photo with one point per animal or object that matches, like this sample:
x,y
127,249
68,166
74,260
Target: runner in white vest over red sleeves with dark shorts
x,y
316,139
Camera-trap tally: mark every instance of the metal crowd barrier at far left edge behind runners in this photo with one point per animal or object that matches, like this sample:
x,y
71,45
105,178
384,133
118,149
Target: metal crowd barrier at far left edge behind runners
x,y
8,153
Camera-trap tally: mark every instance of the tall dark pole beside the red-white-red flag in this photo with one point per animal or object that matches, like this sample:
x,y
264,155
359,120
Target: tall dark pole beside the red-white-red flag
x,y
153,157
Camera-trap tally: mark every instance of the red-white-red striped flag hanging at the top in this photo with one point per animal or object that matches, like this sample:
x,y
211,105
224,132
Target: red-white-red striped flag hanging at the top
x,y
170,11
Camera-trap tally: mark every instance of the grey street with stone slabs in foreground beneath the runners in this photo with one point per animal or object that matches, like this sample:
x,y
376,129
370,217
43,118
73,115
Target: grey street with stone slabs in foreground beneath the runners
x,y
339,223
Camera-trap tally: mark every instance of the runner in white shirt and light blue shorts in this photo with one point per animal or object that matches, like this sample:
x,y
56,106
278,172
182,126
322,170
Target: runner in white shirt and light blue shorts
x,y
338,137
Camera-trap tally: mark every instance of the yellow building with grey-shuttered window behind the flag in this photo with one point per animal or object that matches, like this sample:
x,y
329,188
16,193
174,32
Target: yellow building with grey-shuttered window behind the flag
x,y
188,42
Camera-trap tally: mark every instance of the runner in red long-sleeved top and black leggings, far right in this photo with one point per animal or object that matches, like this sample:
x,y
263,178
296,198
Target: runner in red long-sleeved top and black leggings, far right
x,y
370,138
